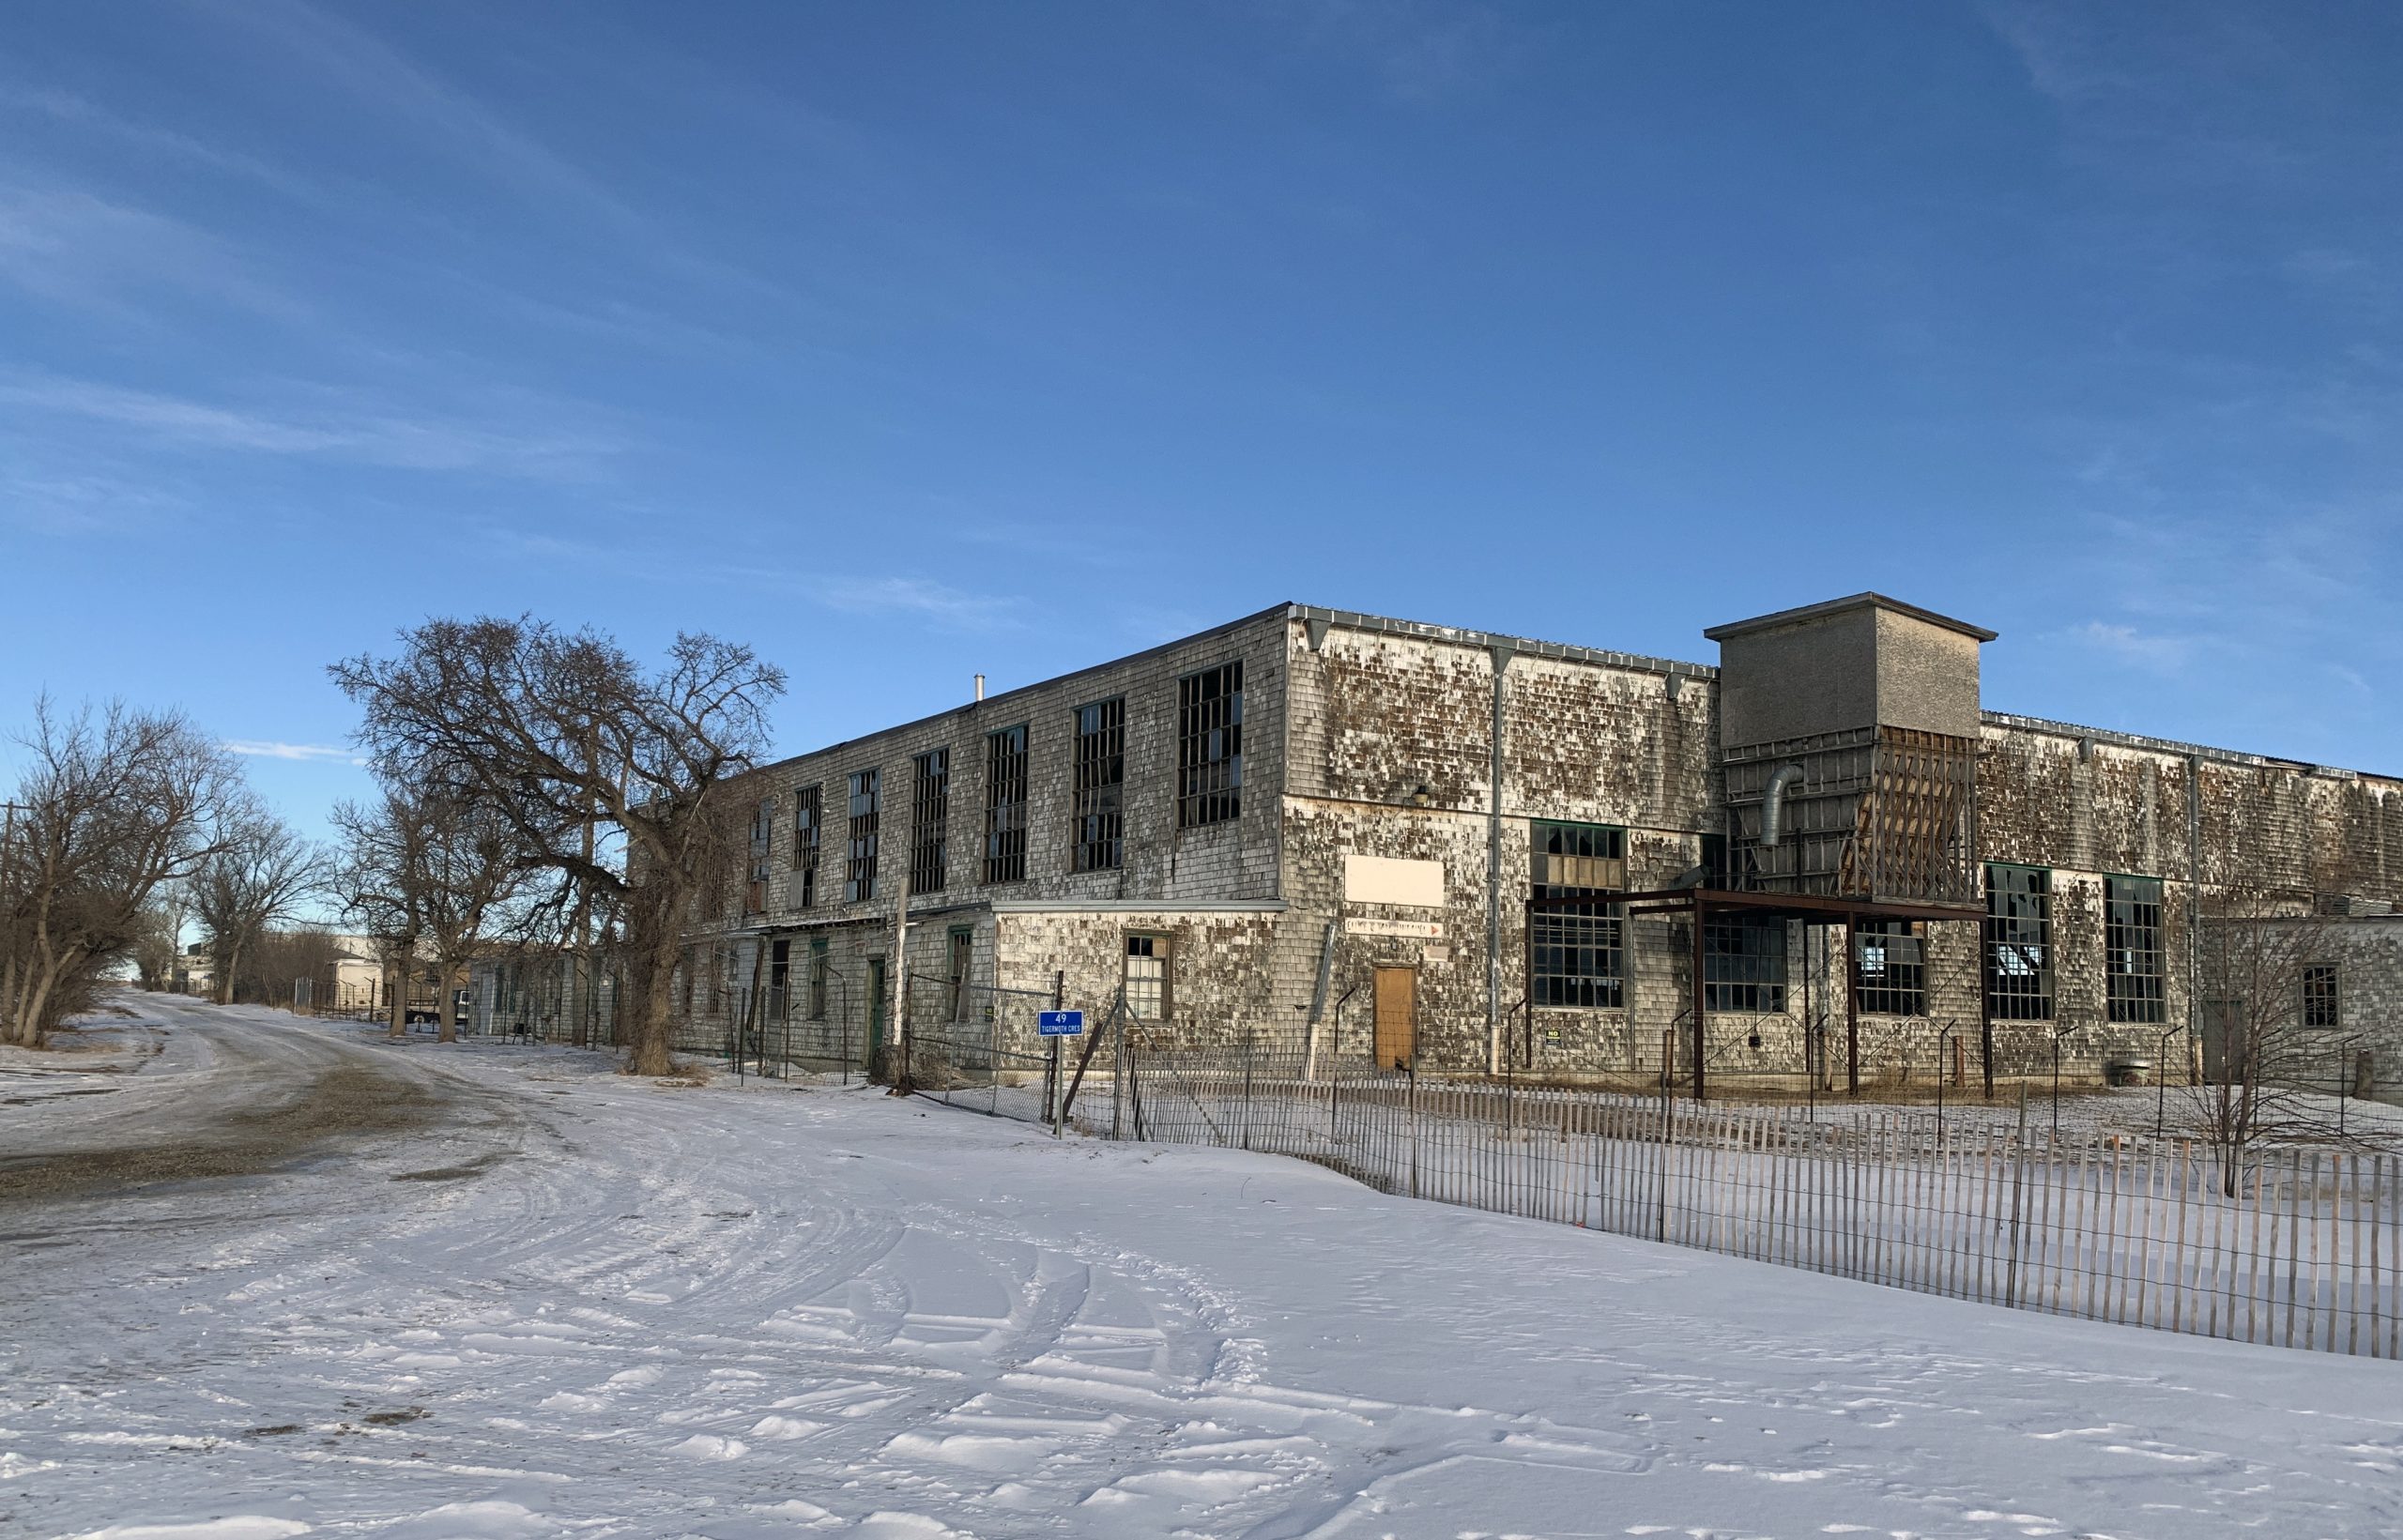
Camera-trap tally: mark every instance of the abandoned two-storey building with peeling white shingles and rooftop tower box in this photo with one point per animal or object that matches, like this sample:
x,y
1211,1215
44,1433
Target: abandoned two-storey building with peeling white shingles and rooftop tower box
x,y
1467,854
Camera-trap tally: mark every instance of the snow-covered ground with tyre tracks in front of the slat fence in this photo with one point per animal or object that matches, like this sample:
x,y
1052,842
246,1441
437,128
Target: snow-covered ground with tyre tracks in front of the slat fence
x,y
520,1296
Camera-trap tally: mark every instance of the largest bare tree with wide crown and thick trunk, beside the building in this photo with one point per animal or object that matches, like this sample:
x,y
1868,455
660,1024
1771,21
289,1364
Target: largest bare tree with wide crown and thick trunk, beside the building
x,y
566,732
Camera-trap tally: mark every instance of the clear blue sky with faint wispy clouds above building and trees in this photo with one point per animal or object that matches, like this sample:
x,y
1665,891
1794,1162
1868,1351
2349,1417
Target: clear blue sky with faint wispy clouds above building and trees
x,y
922,340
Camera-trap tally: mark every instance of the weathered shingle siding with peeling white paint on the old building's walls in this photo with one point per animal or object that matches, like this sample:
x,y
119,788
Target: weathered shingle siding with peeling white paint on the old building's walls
x,y
1373,736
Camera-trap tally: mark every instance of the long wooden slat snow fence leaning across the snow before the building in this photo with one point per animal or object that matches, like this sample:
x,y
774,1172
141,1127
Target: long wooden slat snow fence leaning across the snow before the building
x,y
2303,1253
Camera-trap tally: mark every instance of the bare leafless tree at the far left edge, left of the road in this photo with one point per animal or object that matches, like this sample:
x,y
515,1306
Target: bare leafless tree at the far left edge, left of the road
x,y
112,811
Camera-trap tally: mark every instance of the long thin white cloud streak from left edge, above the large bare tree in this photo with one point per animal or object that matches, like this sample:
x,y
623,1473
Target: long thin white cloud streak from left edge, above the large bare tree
x,y
362,436
